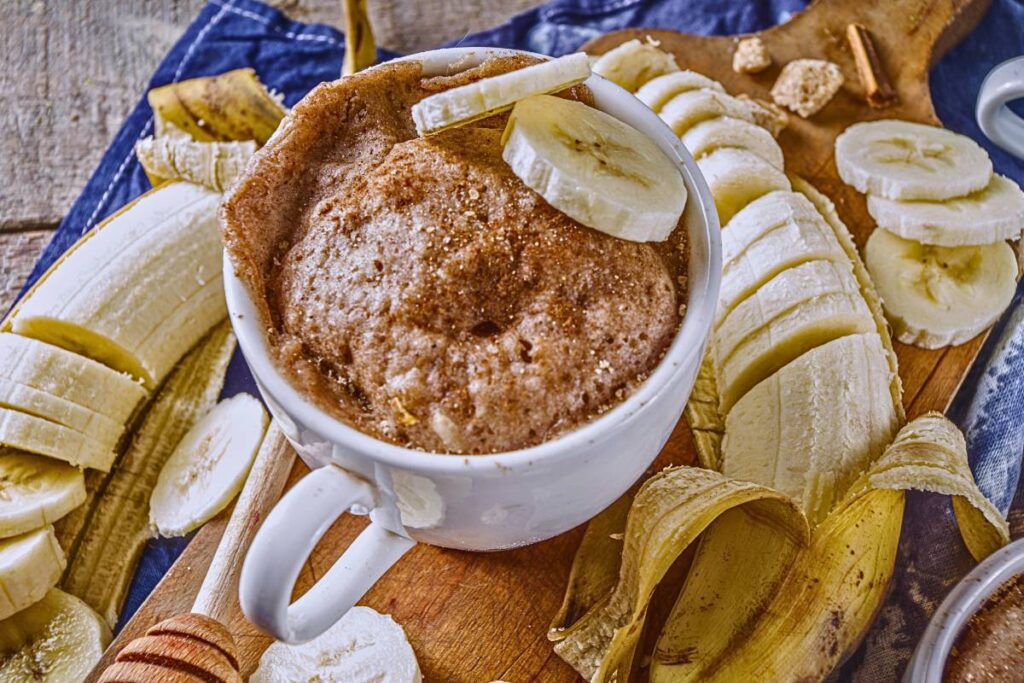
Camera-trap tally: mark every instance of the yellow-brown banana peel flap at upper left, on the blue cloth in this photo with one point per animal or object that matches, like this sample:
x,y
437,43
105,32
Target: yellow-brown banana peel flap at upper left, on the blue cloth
x,y
234,106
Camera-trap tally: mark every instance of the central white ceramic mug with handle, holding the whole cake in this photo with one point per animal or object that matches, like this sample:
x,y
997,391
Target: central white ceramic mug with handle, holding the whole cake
x,y
477,503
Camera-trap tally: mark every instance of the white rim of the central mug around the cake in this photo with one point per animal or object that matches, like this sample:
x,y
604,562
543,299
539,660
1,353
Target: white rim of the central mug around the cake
x,y
687,345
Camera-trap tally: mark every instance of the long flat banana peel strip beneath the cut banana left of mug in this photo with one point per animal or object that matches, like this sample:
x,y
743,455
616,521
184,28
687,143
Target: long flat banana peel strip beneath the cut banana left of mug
x,y
106,550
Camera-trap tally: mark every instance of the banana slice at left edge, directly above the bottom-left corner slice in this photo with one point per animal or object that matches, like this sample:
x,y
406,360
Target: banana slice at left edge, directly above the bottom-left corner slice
x,y
30,566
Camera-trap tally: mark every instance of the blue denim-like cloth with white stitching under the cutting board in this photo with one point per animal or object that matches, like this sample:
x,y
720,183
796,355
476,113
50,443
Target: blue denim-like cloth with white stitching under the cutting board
x,y
292,58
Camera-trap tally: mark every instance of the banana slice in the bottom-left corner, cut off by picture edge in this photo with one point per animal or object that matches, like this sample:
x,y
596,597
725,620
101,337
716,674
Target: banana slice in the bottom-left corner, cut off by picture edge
x,y
58,641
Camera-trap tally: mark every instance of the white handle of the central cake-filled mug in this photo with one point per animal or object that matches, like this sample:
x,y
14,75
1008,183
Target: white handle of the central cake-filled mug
x,y
288,537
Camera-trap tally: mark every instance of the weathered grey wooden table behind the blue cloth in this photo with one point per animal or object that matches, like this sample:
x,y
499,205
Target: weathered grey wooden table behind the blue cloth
x,y
71,72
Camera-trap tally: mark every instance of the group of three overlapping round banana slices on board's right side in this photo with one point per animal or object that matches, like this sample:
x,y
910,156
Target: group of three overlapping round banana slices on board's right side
x,y
938,257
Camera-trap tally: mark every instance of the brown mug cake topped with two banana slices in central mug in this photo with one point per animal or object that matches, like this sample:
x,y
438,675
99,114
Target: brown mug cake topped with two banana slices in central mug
x,y
424,252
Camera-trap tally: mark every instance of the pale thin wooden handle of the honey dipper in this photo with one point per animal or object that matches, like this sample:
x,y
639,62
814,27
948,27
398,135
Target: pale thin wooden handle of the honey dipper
x,y
218,597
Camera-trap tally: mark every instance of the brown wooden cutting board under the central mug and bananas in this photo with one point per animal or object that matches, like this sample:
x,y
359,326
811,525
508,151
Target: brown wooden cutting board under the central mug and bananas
x,y
478,618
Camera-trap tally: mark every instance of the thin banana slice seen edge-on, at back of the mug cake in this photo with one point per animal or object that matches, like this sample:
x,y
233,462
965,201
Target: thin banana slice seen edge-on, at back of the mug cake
x,y
491,96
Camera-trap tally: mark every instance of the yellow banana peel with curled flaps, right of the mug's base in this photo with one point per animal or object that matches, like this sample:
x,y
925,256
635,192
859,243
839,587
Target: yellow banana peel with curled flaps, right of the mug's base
x,y
761,602
